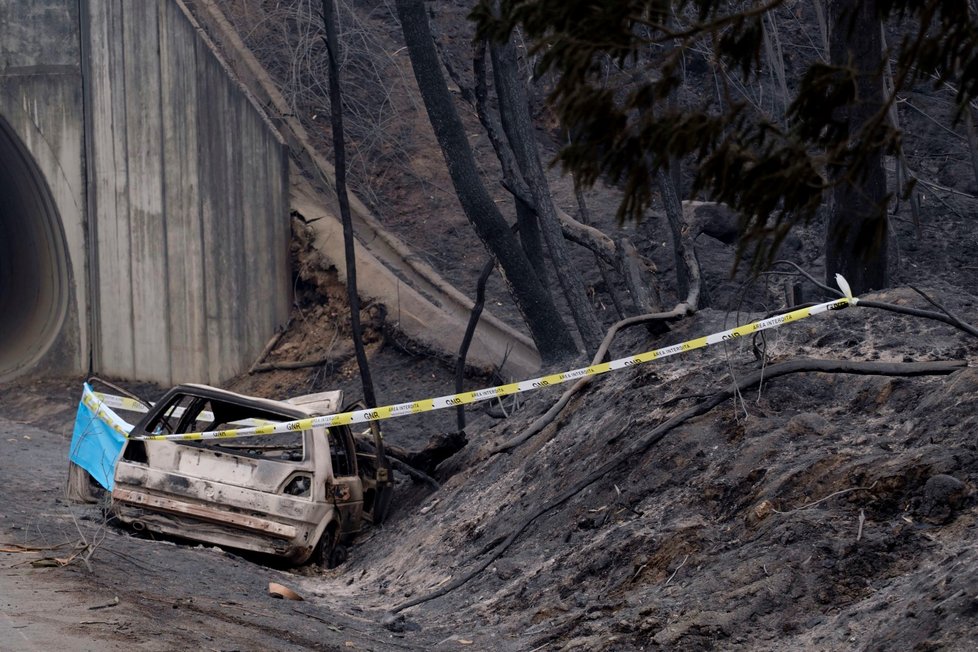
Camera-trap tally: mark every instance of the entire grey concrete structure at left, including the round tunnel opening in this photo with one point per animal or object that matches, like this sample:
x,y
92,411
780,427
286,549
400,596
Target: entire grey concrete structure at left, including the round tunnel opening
x,y
143,197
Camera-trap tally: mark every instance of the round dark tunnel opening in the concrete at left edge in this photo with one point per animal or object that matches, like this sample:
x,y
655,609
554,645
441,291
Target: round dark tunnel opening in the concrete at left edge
x,y
33,260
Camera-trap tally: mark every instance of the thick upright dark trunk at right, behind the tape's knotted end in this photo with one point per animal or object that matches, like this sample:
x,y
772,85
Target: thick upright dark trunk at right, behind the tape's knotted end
x,y
856,240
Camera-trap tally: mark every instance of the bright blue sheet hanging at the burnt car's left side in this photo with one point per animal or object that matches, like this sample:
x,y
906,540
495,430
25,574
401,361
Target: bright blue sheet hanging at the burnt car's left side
x,y
97,438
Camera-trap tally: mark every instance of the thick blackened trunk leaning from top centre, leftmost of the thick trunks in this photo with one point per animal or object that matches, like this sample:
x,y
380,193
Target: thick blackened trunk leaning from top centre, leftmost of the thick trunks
x,y
534,302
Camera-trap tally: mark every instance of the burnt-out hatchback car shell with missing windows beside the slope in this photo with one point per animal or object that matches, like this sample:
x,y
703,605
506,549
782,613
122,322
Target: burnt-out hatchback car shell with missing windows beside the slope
x,y
297,495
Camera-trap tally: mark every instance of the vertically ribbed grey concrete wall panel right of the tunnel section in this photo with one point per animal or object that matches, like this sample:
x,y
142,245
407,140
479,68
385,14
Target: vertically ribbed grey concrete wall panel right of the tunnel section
x,y
189,188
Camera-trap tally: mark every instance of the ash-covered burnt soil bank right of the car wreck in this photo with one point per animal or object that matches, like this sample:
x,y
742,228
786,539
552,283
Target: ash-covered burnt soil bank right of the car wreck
x,y
823,511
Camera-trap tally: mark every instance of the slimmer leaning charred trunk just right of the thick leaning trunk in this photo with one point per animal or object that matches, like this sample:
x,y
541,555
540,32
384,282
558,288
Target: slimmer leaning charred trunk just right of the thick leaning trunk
x,y
515,114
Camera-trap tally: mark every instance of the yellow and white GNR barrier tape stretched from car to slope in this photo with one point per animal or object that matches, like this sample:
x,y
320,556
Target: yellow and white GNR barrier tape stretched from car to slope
x,y
453,400
